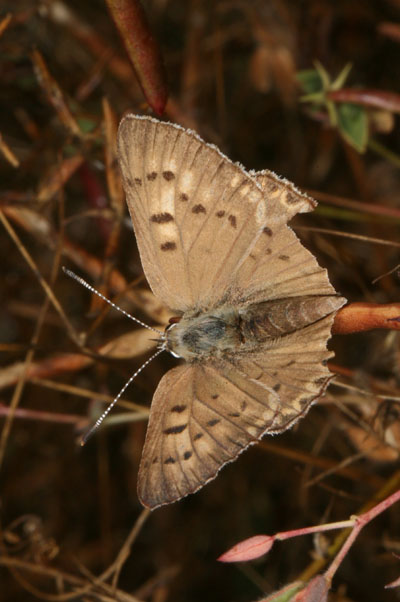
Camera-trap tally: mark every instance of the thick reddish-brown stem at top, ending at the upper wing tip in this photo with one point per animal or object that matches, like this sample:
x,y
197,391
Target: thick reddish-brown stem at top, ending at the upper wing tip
x,y
143,51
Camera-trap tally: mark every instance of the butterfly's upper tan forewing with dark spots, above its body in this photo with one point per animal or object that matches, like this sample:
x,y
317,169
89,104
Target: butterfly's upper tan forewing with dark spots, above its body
x,y
196,215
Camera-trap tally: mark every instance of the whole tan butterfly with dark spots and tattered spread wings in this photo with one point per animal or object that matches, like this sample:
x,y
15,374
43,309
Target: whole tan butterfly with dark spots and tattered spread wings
x,y
254,309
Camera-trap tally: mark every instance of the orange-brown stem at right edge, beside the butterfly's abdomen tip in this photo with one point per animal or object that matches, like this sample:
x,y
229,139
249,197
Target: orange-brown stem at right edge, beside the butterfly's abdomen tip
x,y
358,317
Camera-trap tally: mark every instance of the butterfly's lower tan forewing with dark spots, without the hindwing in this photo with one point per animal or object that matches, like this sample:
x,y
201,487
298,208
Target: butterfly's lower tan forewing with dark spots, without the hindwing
x,y
202,417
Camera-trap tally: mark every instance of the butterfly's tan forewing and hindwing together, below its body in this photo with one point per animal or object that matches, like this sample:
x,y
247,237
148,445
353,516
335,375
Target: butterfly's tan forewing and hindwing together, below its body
x,y
204,415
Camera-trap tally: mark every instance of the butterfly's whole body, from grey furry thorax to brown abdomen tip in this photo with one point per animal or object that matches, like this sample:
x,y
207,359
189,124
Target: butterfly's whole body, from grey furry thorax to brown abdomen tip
x,y
224,330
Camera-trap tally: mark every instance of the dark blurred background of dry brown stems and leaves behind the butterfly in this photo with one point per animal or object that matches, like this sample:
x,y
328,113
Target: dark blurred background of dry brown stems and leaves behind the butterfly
x,y
239,74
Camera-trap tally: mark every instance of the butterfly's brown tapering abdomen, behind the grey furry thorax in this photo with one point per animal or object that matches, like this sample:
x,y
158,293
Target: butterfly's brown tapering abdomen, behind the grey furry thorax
x,y
274,319
